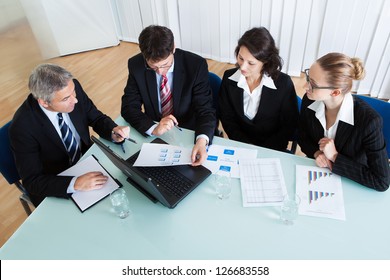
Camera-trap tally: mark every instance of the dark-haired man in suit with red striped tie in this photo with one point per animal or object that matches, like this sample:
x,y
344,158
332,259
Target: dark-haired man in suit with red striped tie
x,y
172,85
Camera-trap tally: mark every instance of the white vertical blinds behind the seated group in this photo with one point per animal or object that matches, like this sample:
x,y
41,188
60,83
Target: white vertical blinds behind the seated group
x,y
303,30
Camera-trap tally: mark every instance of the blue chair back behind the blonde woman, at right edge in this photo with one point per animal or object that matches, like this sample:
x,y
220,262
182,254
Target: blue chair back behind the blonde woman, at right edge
x,y
383,108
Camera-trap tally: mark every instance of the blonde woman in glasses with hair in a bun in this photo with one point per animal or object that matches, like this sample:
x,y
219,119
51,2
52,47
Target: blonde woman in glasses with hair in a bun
x,y
339,130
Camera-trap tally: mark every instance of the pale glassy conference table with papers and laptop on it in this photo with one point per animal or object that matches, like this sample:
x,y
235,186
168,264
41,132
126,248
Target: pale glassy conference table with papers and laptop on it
x,y
201,226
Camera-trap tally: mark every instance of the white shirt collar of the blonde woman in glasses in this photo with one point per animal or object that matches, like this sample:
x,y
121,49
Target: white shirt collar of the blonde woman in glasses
x,y
345,113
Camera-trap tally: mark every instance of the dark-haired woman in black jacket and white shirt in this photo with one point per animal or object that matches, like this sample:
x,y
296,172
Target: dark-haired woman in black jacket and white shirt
x,y
257,102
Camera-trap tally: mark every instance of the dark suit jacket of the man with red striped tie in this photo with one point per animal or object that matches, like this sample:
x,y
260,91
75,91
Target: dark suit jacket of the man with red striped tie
x,y
192,97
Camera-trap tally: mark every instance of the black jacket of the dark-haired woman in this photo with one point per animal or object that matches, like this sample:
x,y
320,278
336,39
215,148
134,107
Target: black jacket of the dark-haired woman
x,y
276,119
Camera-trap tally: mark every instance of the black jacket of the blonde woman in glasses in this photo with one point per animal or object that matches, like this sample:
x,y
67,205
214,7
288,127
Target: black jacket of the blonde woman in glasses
x,y
362,150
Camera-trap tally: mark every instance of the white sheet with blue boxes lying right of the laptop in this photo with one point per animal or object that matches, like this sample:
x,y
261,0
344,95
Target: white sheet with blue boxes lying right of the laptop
x,y
227,158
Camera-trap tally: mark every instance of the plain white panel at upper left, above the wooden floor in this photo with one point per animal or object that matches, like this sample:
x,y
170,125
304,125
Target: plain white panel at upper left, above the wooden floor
x,y
64,27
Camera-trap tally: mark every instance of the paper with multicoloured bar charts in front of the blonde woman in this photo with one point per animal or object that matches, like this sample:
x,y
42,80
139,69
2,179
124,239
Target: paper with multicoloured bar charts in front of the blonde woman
x,y
320,191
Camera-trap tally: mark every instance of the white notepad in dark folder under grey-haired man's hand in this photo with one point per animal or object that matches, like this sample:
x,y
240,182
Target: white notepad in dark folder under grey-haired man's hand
x,y
86,199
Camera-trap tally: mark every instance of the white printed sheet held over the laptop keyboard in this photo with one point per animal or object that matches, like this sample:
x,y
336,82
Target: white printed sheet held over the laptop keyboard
x,y
153,154
